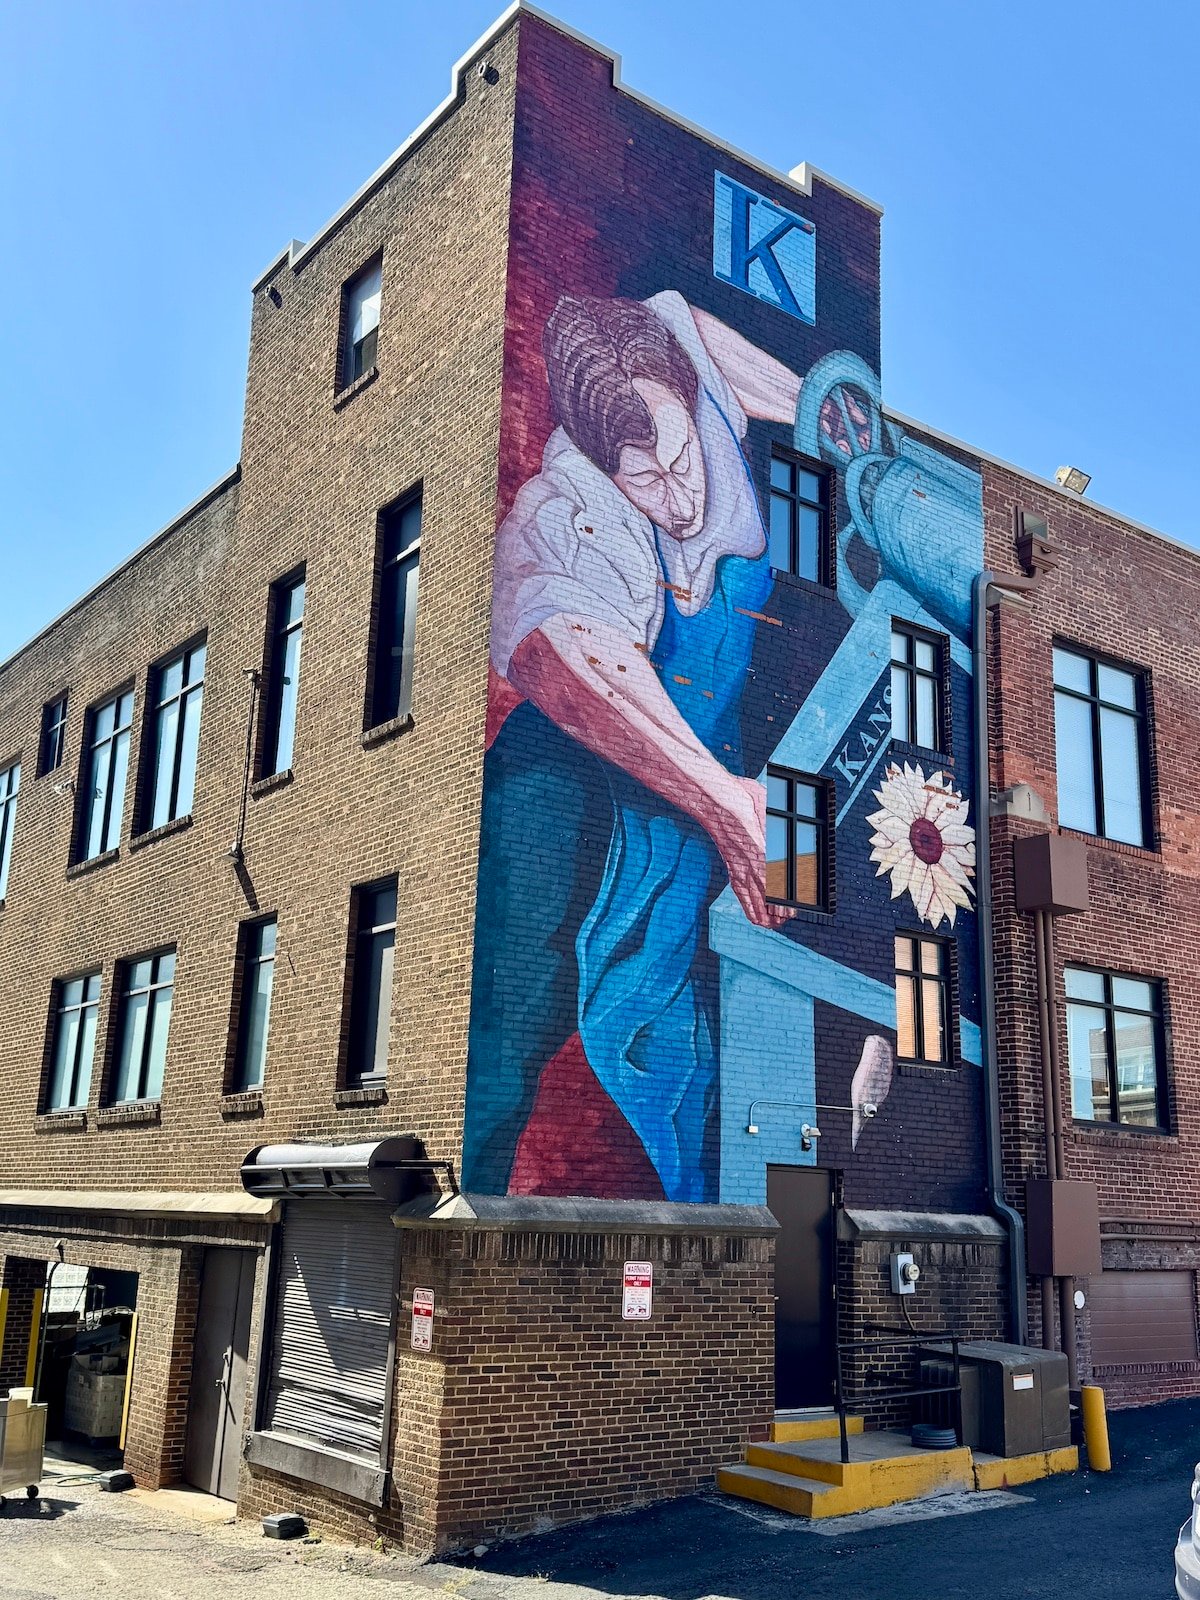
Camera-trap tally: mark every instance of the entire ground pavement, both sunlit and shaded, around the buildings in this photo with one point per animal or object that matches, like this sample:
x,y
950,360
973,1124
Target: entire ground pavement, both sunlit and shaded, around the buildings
x,y
1089,1535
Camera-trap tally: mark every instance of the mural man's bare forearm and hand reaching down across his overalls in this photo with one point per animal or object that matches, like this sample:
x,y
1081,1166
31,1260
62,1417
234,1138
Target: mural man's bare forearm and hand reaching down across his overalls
x,y
591,681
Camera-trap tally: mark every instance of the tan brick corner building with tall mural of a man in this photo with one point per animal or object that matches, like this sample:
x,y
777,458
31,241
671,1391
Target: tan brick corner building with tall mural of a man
x,y
612,910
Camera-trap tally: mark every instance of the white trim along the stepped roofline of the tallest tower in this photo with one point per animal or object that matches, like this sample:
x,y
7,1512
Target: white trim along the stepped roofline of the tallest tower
x,y
801,178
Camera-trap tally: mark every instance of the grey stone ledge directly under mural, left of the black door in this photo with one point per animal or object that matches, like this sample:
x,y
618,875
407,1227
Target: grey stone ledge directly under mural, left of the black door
x,y
582,1215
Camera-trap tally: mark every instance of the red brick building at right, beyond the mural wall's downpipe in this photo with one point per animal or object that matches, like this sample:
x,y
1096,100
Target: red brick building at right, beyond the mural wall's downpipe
x,y
1092,705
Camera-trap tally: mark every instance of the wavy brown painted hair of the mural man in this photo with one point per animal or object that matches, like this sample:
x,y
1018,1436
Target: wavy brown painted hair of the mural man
x,y
594,351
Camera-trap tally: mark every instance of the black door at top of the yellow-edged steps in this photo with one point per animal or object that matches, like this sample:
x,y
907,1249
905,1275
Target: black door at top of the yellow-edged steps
x,y
806,1314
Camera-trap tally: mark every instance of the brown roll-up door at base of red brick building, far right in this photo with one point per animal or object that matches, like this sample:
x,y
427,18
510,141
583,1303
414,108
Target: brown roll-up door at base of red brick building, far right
x,y
1142,1318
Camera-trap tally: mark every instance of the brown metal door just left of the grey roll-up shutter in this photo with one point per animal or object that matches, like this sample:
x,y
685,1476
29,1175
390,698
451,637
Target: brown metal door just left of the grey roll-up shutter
x,y
215,1412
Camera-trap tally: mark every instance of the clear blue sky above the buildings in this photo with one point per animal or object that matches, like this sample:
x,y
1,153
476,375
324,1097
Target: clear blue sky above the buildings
x,y
1036,164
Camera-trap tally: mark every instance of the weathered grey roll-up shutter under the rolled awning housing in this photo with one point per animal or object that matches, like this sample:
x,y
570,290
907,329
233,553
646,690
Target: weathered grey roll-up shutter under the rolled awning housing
x,y
334,1324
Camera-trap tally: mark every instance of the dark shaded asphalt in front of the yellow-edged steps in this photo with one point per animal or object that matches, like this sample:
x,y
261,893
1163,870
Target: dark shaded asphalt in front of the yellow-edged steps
x,y
1103,1537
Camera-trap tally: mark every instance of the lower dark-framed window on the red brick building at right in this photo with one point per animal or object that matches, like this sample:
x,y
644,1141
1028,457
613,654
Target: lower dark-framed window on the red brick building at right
x,y
1114,1047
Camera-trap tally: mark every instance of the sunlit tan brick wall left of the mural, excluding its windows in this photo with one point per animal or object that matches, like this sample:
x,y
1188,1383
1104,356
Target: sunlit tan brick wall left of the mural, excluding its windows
x,y
313,481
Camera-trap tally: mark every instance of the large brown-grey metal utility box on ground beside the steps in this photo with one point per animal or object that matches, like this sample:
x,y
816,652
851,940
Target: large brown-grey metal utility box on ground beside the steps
x,y
1017,1401
